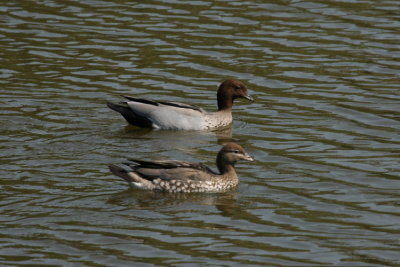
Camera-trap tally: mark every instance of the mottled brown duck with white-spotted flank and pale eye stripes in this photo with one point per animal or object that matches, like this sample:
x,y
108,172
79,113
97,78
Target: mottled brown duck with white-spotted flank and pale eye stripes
x,y
175,176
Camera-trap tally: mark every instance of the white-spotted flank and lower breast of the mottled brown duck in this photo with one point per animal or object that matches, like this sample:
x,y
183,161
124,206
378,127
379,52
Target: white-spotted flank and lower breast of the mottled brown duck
x,y
190,186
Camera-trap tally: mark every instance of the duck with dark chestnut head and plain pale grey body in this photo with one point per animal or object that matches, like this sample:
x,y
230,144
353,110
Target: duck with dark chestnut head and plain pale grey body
x,y
166,115
